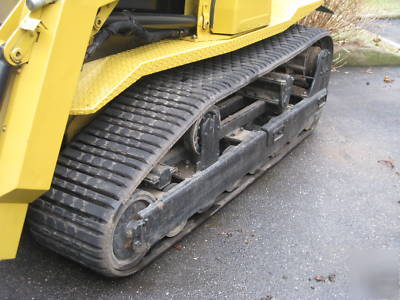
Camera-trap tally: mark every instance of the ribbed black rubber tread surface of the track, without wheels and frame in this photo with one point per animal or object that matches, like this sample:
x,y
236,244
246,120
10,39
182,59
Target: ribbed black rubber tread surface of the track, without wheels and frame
x,y
108,160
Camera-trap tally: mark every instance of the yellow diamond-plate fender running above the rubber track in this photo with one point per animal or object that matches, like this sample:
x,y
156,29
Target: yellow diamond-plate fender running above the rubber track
x,y
104,79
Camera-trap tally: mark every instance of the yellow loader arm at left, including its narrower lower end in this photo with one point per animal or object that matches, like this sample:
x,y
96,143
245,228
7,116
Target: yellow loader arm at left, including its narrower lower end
x,y
34,111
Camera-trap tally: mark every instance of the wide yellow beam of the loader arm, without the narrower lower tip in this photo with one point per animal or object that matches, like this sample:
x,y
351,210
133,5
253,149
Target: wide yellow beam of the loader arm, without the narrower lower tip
x,y
35,113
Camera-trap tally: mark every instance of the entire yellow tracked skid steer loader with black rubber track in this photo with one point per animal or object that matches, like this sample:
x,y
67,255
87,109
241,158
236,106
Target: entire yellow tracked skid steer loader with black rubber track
x,y
126,124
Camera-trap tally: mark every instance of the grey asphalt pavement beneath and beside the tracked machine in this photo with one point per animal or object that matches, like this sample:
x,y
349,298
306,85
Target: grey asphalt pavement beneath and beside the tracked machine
x,y
299,232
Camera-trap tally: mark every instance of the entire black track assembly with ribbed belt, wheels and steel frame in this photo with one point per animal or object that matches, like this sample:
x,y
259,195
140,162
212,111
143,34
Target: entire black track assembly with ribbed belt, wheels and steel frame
x,y
177,146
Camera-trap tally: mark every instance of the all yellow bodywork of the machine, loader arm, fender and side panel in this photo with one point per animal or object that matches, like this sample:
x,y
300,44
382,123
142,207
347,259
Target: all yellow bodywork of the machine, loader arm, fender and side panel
x,y
50,84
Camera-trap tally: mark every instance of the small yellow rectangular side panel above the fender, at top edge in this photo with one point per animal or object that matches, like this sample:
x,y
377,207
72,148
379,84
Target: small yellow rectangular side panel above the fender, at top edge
x,y
236,16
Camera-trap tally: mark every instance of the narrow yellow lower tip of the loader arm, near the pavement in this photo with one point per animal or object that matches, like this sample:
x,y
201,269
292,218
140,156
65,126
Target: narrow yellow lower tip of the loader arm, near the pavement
x,y
12,217
